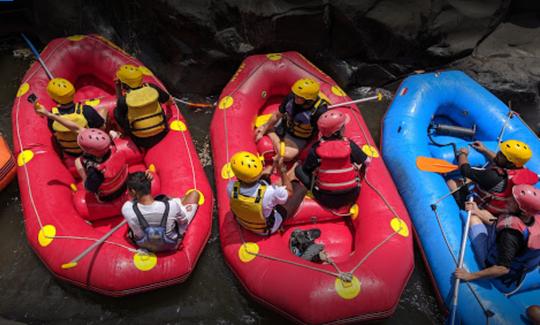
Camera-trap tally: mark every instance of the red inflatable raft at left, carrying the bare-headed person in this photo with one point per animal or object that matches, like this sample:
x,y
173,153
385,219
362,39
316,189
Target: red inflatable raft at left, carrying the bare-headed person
x,y
55,227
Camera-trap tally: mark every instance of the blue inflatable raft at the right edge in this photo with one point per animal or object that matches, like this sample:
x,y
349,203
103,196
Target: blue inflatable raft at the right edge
x,y
452,98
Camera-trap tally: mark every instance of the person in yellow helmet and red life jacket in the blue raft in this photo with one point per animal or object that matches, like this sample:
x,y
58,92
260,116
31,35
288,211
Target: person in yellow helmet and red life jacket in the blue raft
x,y
494,184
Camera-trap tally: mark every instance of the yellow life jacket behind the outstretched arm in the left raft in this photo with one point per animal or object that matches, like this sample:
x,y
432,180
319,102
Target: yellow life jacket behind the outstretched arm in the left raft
x,y
66,138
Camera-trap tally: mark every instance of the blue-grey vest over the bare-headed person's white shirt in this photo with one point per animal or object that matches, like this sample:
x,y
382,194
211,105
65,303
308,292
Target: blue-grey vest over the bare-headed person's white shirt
x,y
155,238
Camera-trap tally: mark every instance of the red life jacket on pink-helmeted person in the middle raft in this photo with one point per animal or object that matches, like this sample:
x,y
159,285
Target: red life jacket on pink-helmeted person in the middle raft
x,y
336,172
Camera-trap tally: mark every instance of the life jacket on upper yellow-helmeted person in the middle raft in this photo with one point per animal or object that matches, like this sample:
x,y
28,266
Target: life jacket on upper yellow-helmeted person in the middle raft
x,y
300,124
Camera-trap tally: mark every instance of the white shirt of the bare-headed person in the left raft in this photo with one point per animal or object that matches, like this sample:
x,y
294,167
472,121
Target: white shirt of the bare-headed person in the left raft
x,y
182,214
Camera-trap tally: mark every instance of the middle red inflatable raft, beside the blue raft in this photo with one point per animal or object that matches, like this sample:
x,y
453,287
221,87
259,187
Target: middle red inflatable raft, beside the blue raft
x,y
372,245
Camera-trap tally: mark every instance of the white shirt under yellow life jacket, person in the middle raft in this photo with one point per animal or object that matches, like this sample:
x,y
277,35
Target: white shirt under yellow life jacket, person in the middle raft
x,y
274,195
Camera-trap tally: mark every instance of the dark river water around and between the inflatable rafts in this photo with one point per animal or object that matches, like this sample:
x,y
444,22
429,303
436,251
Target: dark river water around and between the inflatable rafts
x,y
212,295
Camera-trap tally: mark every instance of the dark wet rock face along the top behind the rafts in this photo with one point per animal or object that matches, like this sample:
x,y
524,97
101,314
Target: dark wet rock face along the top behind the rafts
x,y
195,45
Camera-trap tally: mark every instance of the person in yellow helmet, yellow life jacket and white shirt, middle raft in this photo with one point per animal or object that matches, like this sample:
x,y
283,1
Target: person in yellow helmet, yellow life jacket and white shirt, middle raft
x,y
257,205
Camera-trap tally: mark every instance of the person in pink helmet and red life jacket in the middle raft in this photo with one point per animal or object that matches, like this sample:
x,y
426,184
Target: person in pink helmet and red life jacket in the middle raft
x,y
331,169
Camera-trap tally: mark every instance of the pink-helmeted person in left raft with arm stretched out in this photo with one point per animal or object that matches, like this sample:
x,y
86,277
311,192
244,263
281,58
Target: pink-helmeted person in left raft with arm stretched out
x,y
102,168
